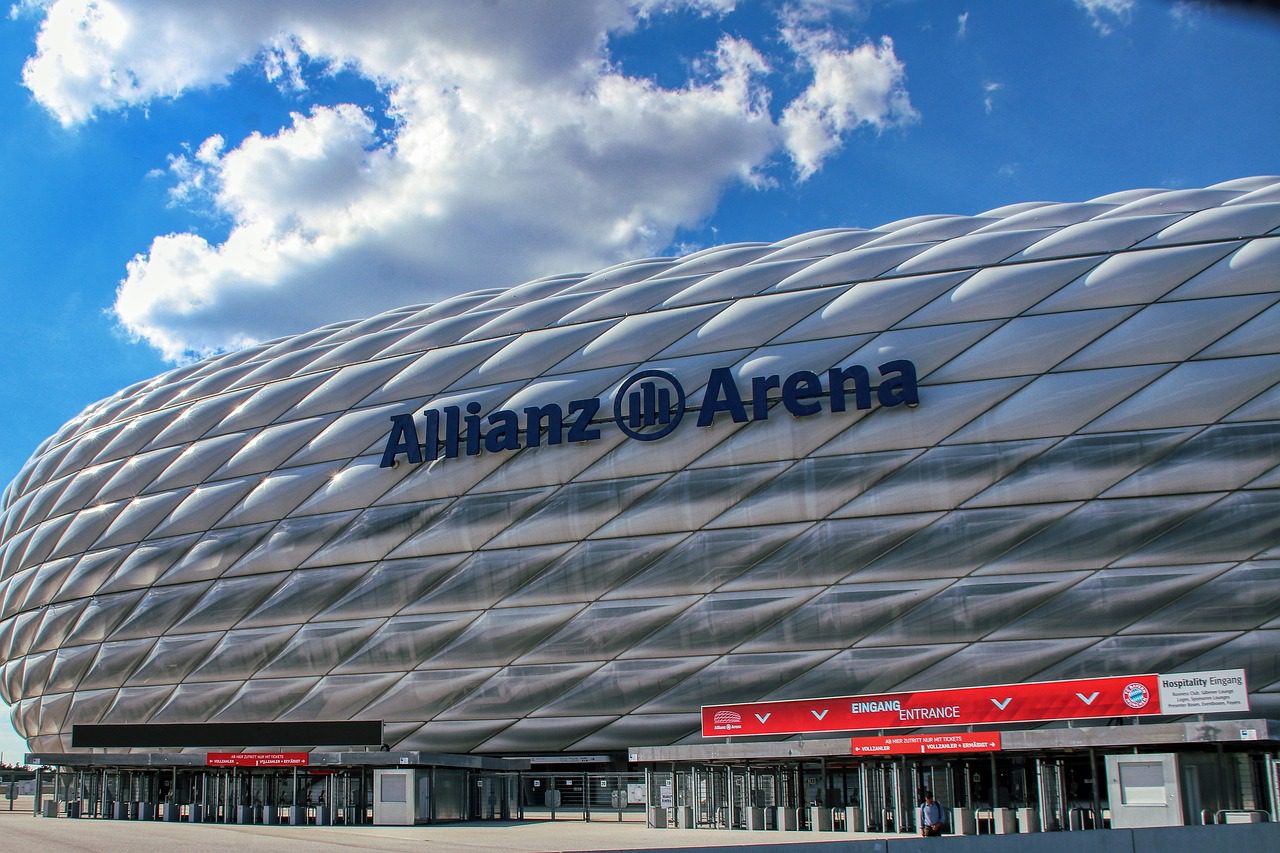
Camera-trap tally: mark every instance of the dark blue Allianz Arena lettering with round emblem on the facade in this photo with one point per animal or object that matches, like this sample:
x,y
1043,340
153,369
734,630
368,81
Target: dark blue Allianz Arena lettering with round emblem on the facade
x,y
648,407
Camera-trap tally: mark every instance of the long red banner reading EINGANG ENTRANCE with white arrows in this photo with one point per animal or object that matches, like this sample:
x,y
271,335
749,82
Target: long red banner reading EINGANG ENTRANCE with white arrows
x,y
1123,696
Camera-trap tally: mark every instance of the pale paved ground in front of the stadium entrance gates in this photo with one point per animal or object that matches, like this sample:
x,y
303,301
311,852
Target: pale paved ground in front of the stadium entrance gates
x,y
20,833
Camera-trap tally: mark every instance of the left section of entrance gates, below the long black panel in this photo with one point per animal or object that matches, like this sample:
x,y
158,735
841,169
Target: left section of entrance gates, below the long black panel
x,y
362,788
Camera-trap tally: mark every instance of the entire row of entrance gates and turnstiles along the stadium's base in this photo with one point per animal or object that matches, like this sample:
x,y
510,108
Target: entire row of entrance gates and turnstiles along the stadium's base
x,y
1039,781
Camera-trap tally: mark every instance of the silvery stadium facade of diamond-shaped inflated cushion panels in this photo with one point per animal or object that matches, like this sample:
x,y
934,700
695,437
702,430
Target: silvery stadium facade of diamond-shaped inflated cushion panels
x,y
1040,443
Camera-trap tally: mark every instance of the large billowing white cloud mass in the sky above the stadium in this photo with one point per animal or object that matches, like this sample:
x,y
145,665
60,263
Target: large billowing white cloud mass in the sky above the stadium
x,y
518,147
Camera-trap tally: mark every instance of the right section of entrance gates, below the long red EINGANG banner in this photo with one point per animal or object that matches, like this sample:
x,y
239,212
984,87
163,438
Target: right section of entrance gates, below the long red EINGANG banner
x,y
1039,781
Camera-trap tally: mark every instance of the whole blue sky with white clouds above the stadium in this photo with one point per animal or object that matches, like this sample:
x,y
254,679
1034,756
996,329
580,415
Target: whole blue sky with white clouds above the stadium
x,y
188,179
